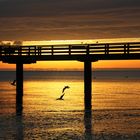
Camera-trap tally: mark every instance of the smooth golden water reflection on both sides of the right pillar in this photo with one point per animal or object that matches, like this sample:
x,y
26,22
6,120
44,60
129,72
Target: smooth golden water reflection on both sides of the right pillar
x,y
42,95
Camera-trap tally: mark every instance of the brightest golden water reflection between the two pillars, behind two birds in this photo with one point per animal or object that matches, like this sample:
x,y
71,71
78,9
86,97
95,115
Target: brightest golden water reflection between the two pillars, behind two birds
x,y
43,95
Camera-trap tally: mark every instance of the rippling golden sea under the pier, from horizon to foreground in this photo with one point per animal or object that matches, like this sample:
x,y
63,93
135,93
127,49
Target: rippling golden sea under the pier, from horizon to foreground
x,y
115,113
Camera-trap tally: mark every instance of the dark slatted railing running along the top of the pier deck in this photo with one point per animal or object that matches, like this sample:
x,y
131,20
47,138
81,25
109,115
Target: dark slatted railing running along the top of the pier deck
x,y
81,49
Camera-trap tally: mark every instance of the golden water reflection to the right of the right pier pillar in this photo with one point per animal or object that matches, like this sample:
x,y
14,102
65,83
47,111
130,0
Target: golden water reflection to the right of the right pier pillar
x,y
115,95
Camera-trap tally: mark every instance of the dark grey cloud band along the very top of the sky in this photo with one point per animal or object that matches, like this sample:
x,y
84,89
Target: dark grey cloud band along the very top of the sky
x,y
29,8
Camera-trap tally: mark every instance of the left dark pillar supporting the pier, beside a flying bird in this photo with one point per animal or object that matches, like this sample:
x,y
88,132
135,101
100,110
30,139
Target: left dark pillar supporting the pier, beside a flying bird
x,y
19,88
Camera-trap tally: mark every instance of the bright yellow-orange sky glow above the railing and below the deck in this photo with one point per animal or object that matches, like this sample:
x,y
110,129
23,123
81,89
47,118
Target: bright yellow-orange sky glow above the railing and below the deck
x,y
75,65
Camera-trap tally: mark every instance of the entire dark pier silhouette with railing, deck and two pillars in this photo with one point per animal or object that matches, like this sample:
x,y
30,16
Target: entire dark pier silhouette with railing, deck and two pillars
x,y
86,53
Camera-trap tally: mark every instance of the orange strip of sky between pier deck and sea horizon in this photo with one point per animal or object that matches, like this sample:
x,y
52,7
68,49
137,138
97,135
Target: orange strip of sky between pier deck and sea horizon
x,y
74,65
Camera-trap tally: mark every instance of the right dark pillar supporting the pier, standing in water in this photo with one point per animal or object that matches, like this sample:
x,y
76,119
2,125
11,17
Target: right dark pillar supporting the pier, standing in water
x,y
87,84
